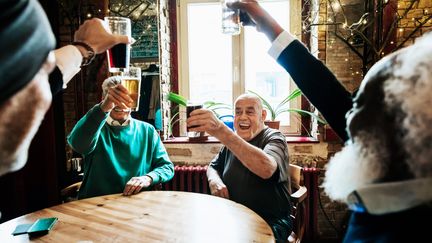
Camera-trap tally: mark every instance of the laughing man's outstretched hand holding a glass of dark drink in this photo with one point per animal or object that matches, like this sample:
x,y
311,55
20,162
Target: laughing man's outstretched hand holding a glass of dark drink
x,y
205,120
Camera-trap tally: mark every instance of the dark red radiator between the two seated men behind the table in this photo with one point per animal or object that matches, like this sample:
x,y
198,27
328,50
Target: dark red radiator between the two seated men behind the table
x,y
188,179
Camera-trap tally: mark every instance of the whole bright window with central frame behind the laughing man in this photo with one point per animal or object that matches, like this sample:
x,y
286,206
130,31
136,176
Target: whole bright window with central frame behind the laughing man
x,y
218,67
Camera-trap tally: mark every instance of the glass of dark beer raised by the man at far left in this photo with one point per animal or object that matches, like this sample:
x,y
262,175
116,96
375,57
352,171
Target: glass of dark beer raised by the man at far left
x,y
119,55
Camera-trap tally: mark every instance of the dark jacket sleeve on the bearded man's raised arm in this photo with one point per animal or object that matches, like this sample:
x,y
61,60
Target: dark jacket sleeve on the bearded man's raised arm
x,y
318,84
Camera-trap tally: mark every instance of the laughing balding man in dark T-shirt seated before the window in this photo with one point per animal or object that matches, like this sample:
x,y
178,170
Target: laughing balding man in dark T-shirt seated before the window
x,y
252,167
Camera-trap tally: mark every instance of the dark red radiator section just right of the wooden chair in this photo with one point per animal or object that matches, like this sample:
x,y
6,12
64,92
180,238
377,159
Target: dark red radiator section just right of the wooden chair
x,y
310,176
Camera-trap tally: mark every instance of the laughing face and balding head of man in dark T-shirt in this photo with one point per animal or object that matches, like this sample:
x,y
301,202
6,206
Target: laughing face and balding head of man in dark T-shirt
x,y
249,117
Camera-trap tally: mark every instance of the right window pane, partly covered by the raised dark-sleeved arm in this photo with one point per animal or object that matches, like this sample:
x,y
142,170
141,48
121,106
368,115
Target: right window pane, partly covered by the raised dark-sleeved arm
x,y
262,74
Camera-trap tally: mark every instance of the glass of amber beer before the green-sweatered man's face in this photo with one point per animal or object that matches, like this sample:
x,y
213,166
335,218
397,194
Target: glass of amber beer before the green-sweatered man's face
x,y
131,80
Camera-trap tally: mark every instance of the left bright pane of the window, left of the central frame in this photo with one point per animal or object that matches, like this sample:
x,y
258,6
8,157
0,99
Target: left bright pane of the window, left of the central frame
x,y
210,61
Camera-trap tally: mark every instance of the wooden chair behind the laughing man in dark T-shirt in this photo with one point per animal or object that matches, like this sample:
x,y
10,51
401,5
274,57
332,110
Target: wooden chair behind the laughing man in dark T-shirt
x,y
298,196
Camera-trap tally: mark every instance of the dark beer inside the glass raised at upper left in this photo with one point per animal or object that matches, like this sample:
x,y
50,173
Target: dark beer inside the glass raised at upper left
x,y
118,57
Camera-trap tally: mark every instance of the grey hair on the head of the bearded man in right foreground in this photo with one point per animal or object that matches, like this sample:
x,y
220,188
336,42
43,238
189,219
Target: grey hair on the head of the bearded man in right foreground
x,y
409,93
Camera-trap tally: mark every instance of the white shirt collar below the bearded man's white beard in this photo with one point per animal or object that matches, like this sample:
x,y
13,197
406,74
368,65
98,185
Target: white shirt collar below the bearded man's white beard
x,y
391,197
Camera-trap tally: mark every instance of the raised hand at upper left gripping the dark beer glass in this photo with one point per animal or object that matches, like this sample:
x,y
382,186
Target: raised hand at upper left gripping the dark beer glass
x,y
96,34
